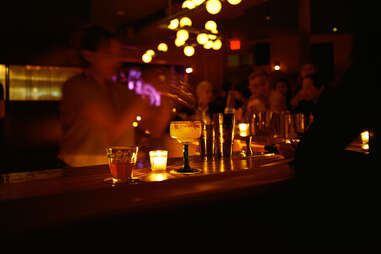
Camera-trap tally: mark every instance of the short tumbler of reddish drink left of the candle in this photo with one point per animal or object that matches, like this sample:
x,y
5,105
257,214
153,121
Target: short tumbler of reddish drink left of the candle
x,y
121,161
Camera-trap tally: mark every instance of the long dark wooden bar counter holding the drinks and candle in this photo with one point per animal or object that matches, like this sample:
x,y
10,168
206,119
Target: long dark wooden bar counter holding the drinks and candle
x,y
49,199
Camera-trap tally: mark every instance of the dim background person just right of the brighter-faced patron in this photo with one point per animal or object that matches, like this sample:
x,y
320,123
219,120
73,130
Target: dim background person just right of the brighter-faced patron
x,y
280,96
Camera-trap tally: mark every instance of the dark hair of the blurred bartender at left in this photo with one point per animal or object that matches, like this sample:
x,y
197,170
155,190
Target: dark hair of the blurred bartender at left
x,y
91,38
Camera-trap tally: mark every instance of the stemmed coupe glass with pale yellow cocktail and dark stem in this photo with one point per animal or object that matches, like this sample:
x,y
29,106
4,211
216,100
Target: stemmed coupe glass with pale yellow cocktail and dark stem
x,y
185,132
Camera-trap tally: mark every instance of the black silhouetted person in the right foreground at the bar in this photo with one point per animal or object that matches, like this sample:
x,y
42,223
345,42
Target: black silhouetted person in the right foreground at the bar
x,y
334,192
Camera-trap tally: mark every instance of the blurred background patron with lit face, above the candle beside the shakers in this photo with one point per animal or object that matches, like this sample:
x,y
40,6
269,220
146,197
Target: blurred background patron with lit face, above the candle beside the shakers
x,y
260,89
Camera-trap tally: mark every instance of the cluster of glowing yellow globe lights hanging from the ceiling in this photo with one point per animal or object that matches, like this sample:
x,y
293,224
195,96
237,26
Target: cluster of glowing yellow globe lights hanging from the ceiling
x,y
208,40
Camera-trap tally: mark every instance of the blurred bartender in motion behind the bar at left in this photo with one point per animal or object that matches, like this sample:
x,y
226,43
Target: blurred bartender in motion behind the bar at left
x,y
96,112
